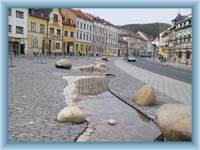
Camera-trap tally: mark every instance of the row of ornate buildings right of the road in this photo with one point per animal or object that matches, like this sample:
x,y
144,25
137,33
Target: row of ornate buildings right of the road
x,y
175,43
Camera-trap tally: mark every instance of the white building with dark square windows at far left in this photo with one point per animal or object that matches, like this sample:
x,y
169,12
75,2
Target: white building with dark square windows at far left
x,y
18,30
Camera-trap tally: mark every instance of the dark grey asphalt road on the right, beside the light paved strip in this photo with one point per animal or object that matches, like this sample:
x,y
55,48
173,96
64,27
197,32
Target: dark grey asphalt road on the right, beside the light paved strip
x,y
184,75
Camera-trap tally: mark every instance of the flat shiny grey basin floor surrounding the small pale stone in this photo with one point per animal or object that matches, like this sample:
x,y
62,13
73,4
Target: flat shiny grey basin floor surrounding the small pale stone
x,y
131,125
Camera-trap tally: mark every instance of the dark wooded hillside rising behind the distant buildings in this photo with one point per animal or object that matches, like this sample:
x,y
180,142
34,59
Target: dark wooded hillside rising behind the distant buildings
x,y
151,29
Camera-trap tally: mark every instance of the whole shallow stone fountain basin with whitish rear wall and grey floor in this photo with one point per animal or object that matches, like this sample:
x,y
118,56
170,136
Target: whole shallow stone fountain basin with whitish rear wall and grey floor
x,y
91,95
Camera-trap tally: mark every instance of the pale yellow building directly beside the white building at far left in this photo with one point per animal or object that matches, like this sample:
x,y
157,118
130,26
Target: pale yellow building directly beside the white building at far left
x,y
37,32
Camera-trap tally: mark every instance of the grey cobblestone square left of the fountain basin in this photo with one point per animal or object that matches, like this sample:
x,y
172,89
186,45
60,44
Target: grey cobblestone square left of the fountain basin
x,y
35,98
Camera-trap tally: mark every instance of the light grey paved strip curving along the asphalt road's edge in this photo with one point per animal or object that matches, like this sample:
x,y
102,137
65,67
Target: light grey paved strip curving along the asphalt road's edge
x,y
178,90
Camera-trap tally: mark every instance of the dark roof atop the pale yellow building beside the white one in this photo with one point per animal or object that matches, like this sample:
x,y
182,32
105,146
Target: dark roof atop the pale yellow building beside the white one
x,y
39,12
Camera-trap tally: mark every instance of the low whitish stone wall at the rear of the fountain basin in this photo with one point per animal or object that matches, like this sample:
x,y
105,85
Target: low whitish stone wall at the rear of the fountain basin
x,y
84,85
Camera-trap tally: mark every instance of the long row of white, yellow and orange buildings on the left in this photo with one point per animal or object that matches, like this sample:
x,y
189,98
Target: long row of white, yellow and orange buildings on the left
x,y
61,31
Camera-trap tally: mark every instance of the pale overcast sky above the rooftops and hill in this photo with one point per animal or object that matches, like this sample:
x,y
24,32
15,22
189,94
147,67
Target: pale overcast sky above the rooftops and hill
x,y
121,16
